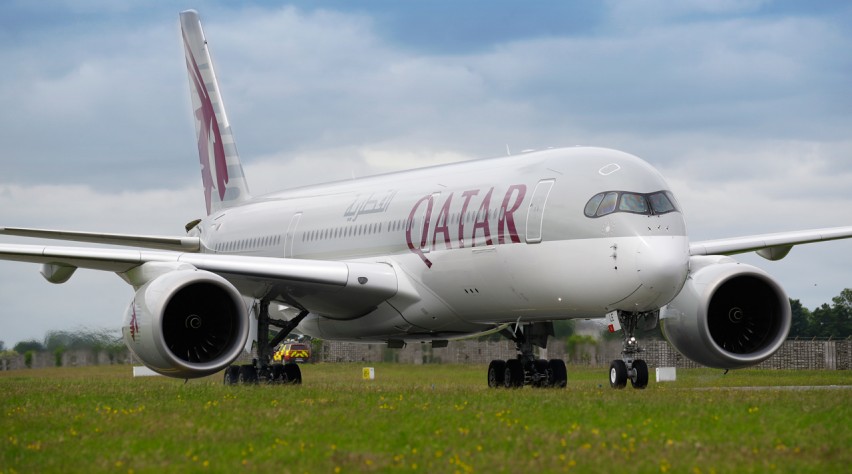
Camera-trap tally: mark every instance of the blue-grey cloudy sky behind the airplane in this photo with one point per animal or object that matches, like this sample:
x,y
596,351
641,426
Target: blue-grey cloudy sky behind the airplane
x,y
744,106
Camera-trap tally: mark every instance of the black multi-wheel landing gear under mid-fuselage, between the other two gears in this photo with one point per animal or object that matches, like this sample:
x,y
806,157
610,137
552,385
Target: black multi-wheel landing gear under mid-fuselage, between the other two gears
x,y
526,369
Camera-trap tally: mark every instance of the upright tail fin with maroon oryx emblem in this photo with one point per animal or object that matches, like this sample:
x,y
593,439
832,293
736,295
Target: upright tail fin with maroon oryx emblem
x,y
221,171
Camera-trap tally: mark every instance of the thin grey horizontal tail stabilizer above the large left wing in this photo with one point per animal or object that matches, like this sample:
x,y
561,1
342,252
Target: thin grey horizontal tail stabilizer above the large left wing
x,y
181,244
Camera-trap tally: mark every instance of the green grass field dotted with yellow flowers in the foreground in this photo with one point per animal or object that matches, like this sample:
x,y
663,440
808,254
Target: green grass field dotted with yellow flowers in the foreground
x,y
435,418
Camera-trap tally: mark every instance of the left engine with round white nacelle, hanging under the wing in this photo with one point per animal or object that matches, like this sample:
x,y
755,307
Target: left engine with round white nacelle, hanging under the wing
x,y
186,324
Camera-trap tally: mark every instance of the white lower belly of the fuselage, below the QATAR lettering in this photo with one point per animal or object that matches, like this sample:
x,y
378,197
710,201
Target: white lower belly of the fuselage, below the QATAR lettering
x,y
480,287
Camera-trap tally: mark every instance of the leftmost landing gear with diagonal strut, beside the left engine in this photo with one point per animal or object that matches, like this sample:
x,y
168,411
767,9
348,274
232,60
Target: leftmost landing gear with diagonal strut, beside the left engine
x,y
261,370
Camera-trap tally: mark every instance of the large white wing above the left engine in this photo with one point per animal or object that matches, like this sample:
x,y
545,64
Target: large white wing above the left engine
x,y
330,288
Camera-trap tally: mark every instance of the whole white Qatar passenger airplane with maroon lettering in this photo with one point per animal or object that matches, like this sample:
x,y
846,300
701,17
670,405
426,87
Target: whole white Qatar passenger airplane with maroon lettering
x,y
509,244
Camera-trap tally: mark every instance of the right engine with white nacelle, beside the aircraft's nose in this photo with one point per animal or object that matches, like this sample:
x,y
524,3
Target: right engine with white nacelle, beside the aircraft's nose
x,y
729,315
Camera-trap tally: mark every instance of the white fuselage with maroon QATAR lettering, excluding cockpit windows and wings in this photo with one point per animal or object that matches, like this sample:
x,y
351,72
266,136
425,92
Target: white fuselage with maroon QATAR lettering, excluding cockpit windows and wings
x,y
475,244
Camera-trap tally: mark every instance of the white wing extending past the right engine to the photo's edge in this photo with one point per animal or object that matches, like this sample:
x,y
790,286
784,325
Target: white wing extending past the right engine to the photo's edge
x,y
770,246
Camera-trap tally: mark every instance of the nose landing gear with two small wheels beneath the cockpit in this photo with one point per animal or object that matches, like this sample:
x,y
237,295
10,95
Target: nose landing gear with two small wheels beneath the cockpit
x,y
629,367
